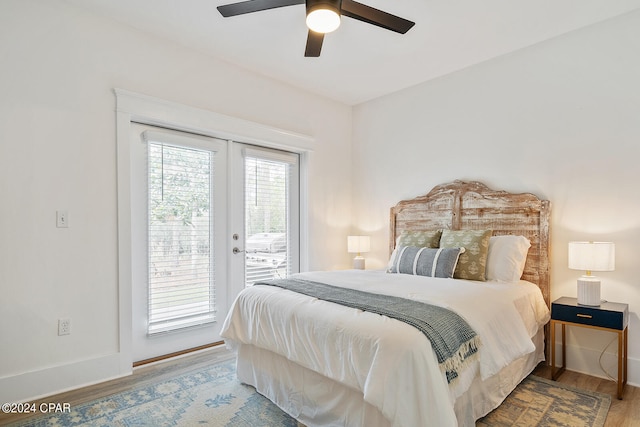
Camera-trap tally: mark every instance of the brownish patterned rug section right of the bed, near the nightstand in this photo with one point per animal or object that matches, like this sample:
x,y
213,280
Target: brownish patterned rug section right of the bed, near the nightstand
x,y
541,402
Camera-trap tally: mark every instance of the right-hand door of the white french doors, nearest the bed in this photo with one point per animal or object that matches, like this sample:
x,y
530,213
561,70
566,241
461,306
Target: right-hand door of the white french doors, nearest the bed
x,y
266,193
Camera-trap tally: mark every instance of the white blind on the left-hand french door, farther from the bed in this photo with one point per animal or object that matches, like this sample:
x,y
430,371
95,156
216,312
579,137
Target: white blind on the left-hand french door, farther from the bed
x,y
180,227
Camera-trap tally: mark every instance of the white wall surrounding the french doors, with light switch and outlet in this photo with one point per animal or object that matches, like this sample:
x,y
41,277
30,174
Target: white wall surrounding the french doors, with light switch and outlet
x,y
58,68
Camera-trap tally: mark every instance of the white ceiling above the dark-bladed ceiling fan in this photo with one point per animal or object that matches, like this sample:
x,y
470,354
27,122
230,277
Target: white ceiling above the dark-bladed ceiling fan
x,y
359,61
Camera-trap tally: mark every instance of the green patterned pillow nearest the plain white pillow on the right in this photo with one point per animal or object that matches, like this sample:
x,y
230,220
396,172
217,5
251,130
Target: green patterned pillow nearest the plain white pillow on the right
x,y
473,262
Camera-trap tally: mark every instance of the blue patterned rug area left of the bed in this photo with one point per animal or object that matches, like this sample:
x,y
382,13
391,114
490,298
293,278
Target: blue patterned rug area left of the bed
x,y
212,396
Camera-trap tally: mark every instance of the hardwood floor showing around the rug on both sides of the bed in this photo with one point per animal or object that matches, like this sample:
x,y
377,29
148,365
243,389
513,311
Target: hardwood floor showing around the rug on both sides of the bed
x,y
623,413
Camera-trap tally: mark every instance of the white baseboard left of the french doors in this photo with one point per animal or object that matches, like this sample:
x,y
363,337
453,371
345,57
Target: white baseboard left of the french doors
x,y
29,386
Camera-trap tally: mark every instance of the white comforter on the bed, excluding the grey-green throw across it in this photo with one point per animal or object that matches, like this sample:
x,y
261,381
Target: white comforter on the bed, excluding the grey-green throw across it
x,y
390,362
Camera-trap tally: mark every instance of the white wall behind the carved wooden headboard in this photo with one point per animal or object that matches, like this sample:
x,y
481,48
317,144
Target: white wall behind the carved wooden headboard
x,y
560,119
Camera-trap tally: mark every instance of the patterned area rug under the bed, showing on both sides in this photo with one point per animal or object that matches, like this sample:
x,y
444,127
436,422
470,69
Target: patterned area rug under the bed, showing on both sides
x,y
213,396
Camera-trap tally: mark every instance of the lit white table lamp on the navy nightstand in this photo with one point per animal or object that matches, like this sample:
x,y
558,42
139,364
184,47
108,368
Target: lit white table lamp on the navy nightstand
x,y
591,256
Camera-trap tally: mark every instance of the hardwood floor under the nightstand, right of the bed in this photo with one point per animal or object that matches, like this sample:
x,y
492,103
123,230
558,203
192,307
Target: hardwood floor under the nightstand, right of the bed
x,y
622,413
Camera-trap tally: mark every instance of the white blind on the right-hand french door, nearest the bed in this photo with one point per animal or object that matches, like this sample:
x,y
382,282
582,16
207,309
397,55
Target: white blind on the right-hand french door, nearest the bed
x,y
269,240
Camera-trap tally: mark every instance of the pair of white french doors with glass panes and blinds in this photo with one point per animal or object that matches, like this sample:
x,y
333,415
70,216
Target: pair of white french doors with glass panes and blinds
x,y
209,217
